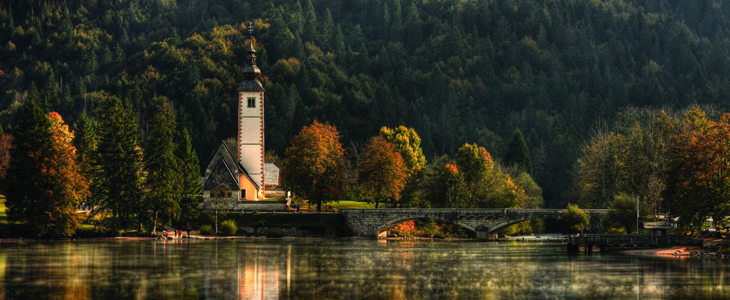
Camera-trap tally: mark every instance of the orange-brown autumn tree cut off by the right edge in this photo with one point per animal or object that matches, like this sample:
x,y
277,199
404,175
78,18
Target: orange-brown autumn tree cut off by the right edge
x,y
698,184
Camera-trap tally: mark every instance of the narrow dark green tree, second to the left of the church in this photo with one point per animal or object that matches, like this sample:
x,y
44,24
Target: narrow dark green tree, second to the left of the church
x,y
164,179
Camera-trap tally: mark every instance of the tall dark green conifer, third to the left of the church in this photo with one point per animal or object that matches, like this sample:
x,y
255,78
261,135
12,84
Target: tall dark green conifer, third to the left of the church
x,y
118,186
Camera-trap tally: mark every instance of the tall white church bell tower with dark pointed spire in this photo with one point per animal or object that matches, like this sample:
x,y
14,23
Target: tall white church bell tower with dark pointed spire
x,y
251,119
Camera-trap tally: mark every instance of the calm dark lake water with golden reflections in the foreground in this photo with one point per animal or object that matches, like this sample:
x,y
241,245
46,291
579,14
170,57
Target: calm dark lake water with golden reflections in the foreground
x,y
333,269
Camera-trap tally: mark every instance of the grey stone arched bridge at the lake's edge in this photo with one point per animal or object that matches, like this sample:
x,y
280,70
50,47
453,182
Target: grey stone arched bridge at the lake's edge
x,y
485,222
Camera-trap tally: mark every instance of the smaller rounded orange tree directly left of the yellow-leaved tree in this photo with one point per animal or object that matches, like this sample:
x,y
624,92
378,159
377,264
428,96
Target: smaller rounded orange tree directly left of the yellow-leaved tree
x,y
382,173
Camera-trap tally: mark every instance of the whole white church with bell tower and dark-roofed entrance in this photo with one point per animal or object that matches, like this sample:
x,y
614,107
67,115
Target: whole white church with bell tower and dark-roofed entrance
x,y
236,179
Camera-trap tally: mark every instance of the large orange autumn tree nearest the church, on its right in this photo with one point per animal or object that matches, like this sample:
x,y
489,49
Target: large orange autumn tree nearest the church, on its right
x,y
315,164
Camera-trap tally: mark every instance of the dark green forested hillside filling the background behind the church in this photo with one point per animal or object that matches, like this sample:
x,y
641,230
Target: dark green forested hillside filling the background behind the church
x,y
456,71
